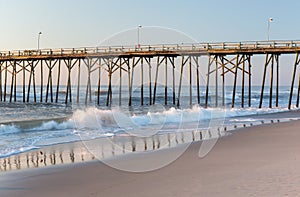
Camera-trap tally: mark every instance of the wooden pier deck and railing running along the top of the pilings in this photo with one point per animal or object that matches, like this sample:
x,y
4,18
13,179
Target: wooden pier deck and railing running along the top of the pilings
x,y
178,48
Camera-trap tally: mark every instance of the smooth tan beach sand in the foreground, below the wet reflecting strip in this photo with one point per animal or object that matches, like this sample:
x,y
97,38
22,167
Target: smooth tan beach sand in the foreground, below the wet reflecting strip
x,y
258,161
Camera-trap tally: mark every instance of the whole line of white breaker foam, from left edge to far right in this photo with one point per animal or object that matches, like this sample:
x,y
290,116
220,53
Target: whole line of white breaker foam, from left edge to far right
x,y
97,119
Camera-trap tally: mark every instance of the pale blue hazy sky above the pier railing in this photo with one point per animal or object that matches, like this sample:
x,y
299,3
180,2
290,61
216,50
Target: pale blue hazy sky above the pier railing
x,y
67,23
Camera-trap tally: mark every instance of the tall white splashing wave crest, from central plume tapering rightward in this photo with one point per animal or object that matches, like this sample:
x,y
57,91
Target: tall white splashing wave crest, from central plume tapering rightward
x,y
93,118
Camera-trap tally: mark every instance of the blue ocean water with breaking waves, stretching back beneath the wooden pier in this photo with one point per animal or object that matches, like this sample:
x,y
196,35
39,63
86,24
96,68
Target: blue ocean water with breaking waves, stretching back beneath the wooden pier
x,y
29,126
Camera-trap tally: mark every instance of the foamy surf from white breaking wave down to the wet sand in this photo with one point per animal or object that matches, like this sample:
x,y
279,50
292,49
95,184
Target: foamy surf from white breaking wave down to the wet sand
x,y
92,123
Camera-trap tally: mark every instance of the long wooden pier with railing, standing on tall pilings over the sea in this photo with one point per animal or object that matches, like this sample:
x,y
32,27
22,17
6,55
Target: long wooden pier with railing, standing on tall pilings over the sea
x,y
52,71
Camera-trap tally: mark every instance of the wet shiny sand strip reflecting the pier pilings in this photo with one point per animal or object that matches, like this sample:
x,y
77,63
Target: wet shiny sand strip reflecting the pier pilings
x,y
78,152
